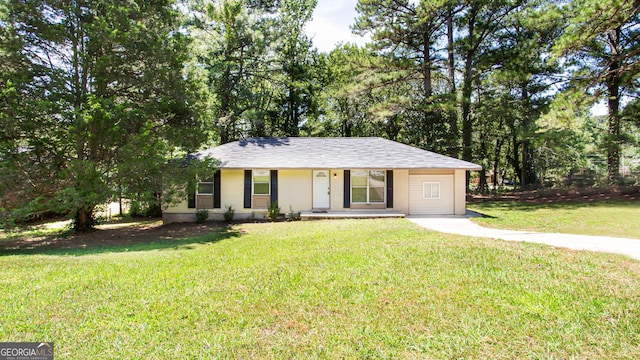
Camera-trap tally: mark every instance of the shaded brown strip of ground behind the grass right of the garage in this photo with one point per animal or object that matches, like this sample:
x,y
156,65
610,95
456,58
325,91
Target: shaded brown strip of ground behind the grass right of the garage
x,y
563,195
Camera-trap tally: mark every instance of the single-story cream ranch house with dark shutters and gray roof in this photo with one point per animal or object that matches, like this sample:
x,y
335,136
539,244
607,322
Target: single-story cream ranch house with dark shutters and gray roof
x,y
333,175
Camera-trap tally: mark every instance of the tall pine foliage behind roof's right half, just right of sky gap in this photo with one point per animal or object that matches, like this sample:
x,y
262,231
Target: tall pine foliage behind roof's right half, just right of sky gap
x,y
412,98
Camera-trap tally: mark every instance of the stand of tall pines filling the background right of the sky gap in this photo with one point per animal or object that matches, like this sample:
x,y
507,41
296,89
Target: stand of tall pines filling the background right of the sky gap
x,y
511,85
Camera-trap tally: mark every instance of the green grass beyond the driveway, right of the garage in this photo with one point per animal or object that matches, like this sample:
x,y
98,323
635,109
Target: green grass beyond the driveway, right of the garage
x,y
606,218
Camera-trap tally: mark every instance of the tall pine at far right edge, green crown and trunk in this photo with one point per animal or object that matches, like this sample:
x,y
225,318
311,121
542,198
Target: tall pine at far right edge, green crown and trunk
x,y
600,42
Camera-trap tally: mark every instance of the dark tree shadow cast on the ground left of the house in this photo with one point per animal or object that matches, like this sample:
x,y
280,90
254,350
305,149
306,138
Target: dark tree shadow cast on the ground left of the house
x,y
121,237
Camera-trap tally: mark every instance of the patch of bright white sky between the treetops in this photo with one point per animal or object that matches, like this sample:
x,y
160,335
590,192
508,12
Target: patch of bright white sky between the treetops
x,y
331,22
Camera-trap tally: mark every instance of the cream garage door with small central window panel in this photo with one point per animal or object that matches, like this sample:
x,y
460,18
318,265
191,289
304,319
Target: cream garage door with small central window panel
x,y
431,195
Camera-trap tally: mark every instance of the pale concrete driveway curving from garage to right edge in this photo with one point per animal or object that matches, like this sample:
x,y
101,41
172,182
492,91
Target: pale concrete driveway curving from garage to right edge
x,y
463,226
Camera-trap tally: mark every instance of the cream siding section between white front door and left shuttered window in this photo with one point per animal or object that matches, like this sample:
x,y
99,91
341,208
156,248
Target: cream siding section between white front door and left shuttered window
x,y
295,190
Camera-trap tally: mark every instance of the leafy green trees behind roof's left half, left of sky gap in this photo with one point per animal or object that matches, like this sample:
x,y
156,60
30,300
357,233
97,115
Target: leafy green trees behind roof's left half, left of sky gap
x,y
262,73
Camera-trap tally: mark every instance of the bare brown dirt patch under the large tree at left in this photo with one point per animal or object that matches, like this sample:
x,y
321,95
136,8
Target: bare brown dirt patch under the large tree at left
x,y
114,234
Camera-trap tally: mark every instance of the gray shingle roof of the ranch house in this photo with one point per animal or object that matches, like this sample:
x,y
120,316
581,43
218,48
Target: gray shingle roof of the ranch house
x,y
328,153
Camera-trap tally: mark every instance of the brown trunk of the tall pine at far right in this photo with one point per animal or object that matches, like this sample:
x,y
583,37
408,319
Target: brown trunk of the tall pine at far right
x,y
613,92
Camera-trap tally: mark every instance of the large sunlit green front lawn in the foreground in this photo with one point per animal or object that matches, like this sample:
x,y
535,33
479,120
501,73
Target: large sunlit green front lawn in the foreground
x,y
325,289
